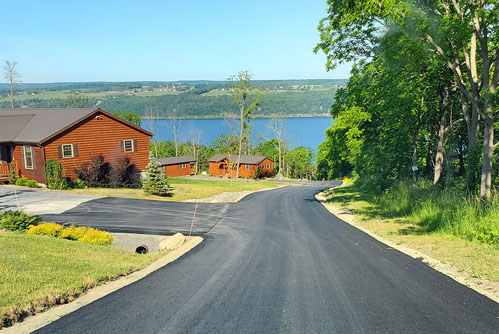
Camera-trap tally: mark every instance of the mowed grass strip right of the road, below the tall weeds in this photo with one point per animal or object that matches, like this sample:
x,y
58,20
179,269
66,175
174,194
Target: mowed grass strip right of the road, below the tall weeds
x,y
475,258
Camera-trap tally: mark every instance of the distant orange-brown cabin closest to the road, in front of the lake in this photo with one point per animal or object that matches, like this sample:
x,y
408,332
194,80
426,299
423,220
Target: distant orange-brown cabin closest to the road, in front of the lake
x,y
248,165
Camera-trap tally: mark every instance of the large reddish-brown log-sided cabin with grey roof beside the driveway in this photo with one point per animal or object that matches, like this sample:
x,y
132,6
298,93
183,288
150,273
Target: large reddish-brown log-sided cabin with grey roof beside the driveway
x,y
30,137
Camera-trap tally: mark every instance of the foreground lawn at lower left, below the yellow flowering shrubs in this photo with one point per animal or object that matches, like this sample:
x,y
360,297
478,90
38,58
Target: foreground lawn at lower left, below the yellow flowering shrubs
x,y
37,272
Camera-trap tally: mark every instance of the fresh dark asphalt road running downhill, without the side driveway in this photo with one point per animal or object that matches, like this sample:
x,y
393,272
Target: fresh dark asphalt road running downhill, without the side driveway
x,y
278,262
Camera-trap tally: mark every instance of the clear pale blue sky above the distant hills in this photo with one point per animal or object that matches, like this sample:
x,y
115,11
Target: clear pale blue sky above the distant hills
x,y
169,40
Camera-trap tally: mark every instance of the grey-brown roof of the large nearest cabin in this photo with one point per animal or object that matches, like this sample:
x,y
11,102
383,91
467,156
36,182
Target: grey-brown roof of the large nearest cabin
x,y
37,125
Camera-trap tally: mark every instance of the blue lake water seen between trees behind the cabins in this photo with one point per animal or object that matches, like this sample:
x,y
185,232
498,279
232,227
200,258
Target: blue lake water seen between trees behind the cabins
x,y
298,131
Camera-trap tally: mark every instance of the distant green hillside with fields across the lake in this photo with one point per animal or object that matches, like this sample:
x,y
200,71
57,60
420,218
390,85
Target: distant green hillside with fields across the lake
x,y
187,98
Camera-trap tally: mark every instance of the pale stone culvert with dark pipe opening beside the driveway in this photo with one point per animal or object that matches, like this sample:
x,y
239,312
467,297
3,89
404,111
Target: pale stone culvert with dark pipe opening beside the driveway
x,y
147,243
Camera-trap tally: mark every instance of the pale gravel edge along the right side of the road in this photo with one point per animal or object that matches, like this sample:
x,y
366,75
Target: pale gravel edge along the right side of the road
x,y
485,287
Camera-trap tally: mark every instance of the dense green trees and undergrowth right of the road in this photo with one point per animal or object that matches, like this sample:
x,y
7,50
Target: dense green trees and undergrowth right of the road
x,y
416,121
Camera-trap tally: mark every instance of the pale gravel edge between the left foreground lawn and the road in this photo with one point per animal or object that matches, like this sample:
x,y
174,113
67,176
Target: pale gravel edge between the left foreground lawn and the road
x,y
37,321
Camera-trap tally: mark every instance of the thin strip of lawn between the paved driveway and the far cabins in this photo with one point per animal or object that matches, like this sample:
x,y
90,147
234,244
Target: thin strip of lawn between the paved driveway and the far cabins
x,y
184,189
